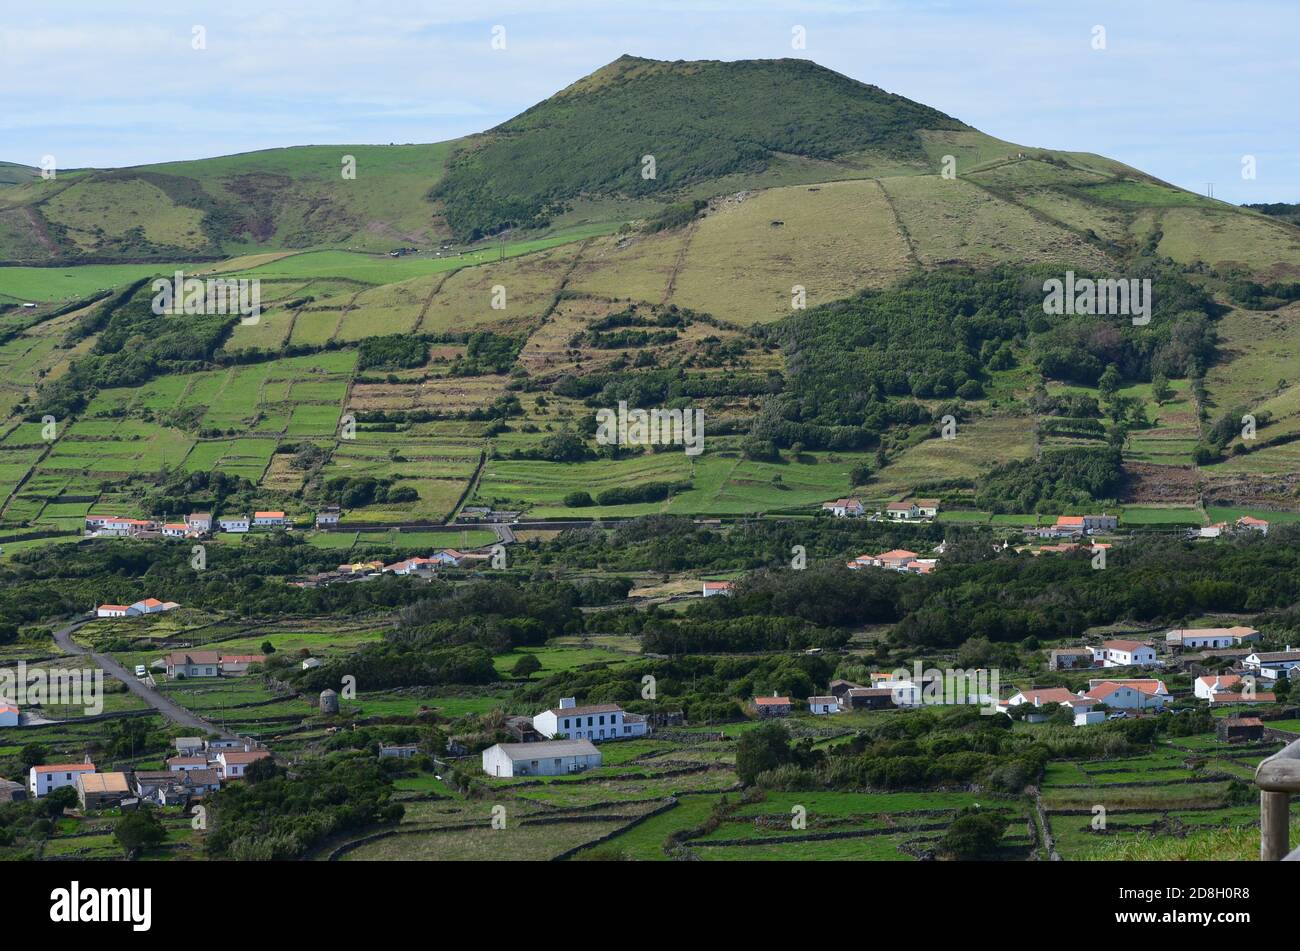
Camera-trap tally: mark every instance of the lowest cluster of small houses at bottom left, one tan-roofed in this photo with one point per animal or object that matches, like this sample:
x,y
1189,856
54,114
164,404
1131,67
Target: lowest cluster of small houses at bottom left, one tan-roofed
x,y
201,767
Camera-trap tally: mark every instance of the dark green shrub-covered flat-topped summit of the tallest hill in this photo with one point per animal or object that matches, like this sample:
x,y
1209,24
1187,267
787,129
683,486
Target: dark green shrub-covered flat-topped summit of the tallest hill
x,y
699,121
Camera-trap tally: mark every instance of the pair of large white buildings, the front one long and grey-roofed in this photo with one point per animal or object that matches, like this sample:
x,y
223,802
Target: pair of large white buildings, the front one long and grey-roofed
x,y
561,740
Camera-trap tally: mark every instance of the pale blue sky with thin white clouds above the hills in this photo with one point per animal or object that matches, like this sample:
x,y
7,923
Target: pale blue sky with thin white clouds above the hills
x,y
1185,90
